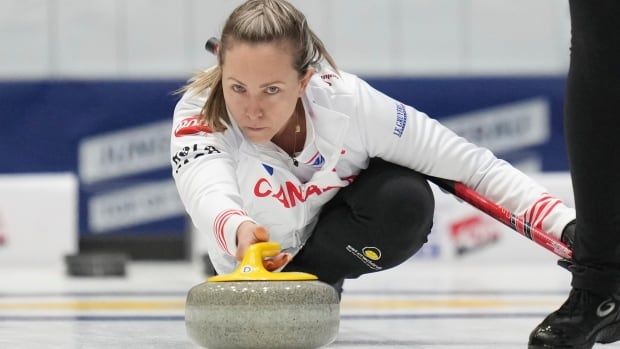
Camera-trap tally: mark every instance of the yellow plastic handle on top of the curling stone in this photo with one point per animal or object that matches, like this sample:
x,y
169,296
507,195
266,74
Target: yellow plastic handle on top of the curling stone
x,y
251,267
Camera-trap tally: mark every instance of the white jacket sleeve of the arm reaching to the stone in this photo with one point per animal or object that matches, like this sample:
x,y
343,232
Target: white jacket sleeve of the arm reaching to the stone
x,y
203,168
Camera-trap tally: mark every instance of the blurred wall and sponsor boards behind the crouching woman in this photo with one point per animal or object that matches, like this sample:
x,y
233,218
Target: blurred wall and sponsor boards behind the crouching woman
x,y
86,101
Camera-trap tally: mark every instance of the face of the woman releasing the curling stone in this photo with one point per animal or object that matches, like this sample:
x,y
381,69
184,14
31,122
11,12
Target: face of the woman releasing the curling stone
x,y
261,88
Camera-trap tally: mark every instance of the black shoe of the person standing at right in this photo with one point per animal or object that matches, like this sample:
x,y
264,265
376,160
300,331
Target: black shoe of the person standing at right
x,y
584,319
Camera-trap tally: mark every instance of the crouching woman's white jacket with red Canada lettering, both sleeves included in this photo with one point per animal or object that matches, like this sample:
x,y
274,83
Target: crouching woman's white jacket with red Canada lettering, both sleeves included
x,y
224,180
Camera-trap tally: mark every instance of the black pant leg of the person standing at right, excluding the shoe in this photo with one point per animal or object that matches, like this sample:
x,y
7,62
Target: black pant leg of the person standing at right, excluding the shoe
x,y
592,127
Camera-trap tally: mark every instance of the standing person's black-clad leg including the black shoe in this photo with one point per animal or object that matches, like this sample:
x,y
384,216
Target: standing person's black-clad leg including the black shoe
x,y
592,123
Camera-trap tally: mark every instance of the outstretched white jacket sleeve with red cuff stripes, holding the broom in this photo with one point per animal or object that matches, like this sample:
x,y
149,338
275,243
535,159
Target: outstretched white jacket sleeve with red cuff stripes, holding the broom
x,y
403,135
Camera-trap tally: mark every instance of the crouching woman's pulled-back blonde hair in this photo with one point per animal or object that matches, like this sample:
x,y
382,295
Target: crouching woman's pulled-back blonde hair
x,y
258,21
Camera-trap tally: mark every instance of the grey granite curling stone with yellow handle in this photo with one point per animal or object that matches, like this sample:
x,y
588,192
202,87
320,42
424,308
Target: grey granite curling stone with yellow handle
x,y
255,308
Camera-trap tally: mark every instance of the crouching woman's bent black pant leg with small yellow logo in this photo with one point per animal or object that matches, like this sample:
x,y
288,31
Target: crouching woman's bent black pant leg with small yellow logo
x,y
377,222
